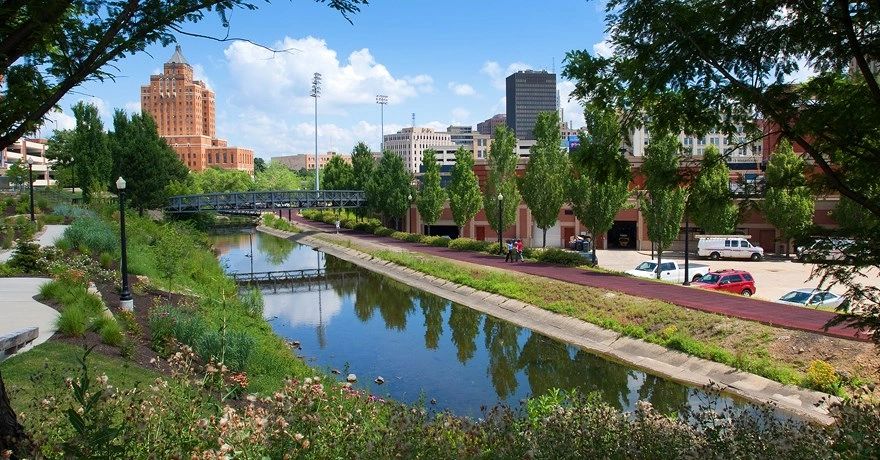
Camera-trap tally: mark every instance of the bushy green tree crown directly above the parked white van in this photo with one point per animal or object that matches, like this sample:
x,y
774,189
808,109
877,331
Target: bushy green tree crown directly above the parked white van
x,y
710,201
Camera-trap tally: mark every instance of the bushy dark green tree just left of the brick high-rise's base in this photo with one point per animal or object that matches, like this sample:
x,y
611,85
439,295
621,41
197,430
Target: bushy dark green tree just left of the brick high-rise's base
x,y
144,160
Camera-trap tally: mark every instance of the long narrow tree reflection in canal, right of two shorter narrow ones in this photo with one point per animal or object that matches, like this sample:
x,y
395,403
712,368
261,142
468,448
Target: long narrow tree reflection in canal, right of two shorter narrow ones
x,y
502,342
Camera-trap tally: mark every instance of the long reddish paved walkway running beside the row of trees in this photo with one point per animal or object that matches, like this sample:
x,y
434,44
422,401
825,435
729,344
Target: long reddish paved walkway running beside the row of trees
x,y
779,315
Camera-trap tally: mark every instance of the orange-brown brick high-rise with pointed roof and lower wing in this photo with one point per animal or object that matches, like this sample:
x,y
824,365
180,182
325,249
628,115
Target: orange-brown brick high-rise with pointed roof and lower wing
x,y
184,112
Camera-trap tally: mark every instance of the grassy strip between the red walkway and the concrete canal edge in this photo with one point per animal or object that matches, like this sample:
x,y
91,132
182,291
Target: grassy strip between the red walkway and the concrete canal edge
x,y
738,343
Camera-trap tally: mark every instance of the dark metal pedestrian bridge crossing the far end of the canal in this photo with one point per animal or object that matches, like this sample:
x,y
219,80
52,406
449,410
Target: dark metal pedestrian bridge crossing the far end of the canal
x,y
256,202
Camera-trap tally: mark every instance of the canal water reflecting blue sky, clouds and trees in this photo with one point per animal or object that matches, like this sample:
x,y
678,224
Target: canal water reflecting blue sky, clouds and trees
x,y
427,348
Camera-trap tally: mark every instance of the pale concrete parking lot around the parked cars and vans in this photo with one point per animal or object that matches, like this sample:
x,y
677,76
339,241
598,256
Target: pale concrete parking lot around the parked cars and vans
x,y
773,276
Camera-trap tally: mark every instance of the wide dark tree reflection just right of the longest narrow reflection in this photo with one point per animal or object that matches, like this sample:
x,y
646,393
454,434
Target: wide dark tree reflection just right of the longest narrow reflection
x,y
546,363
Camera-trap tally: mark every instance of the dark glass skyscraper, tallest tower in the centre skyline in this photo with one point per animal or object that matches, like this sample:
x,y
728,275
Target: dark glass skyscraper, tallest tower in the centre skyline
x,y
529,92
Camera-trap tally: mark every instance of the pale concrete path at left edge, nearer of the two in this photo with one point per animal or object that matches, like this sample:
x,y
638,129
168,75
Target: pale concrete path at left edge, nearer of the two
x,y
19,310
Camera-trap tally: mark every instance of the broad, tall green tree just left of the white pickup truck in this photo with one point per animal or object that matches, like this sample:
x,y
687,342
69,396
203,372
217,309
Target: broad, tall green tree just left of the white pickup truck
x,y
599,181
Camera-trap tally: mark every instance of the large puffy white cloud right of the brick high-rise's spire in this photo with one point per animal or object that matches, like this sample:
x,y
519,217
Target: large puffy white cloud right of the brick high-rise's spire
x,y
284,80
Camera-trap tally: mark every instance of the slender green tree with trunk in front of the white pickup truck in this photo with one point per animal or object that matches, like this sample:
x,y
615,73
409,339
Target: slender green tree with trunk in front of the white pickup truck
x,y
664,205
